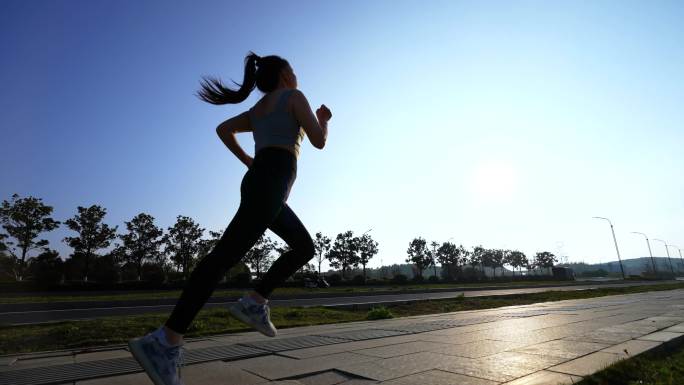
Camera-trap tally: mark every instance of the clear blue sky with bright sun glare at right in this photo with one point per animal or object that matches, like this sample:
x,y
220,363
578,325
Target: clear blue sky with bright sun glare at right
x,y
506,124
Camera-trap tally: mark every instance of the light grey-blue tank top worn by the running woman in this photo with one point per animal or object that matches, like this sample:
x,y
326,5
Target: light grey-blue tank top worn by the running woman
x,y
277,128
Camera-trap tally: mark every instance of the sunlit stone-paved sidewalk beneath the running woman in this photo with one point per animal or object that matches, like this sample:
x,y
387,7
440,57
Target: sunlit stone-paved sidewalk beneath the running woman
x,y
546,343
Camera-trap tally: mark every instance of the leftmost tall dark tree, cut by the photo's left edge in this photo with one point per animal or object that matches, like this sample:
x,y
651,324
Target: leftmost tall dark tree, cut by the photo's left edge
x,y
24,219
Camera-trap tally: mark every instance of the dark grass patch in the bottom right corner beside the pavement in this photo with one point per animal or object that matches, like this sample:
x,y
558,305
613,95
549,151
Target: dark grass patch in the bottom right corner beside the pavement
x,y
661,367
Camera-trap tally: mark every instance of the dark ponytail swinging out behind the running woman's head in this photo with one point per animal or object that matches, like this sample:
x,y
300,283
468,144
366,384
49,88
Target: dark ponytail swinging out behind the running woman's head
x,y
213,91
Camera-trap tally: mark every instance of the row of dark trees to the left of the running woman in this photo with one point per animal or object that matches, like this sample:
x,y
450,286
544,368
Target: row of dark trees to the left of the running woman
x,y
25,219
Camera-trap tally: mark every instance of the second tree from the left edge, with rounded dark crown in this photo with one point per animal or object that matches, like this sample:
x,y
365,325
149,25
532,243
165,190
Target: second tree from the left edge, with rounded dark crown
x,y
93,235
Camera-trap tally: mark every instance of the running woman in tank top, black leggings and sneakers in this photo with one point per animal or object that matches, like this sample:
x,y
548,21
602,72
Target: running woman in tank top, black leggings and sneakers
x,y
278,121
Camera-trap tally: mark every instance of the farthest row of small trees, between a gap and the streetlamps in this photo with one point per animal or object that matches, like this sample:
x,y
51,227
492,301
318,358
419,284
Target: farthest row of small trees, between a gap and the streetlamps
x,y
453,258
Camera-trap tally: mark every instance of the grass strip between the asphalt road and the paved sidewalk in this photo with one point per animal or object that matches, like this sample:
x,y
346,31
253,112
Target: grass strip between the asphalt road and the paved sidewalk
x,y
116,330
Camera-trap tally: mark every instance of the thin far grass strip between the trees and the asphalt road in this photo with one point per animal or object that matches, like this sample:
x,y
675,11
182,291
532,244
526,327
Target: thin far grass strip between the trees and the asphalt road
x,y
9,299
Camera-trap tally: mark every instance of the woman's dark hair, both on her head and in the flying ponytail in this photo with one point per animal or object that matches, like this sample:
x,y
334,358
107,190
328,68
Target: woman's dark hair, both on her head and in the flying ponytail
x,y
260,72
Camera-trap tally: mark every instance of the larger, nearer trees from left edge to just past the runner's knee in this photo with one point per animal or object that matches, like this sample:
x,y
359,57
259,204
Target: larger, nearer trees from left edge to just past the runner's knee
x,y
179,248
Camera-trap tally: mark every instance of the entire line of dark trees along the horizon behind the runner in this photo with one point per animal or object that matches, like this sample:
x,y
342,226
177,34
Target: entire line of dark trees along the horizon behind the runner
x,y
144,251
